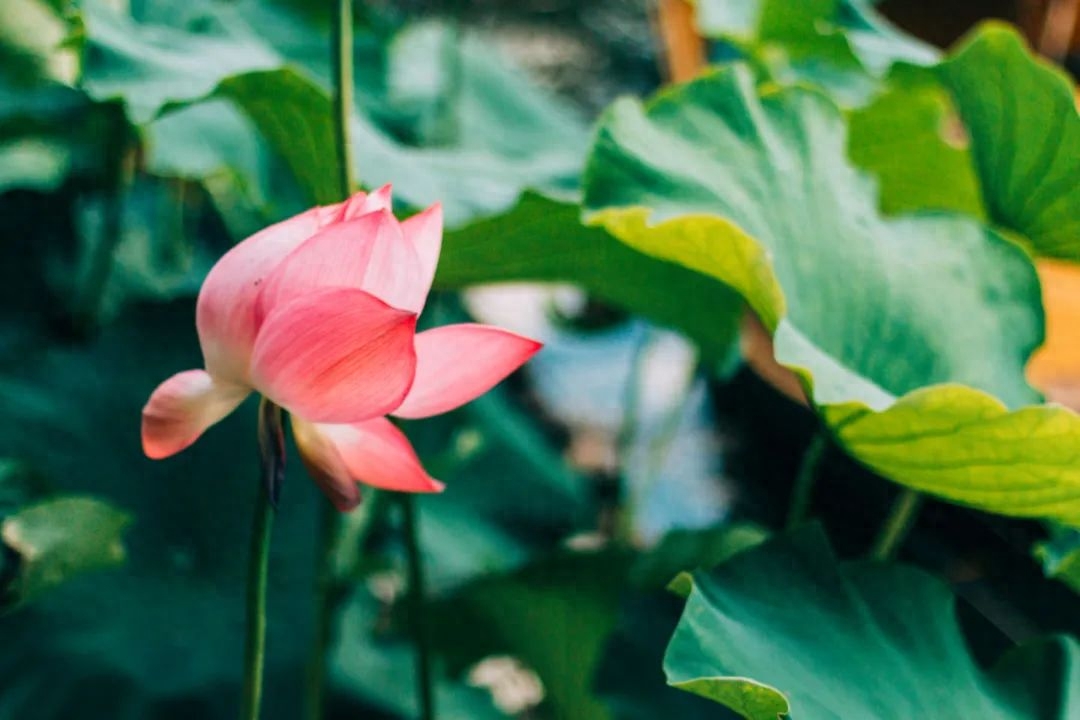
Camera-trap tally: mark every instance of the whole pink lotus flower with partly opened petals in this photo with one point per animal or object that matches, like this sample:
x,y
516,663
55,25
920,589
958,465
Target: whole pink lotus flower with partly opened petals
x,y
319,315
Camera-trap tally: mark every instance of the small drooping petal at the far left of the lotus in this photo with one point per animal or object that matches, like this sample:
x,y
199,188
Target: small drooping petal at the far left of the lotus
x,y
183,407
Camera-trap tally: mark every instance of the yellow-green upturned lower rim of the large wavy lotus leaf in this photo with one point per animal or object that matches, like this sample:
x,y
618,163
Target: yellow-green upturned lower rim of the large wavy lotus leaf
x,y
967,447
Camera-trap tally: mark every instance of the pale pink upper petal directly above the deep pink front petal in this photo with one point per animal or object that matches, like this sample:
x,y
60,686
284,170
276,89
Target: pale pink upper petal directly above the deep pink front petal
x,y
334,257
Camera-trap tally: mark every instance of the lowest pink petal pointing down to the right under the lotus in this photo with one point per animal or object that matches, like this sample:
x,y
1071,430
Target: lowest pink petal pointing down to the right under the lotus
x,y
375,453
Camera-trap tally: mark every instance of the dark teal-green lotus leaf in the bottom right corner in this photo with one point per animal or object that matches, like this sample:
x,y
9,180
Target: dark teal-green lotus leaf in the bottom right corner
x,y
787,630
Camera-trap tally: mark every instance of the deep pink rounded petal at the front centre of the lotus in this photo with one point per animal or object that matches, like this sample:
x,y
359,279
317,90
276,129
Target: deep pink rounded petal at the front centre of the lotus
x,y
335,356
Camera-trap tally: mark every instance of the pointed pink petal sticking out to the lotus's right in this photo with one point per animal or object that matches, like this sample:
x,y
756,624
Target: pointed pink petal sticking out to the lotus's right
x,y
460,363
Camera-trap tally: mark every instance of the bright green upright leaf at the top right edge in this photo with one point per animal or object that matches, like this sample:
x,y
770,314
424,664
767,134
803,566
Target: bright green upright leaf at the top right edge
x,y
1025,134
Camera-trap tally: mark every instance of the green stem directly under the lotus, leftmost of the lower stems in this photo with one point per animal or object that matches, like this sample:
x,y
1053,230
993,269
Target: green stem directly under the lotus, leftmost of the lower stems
x,y
273,456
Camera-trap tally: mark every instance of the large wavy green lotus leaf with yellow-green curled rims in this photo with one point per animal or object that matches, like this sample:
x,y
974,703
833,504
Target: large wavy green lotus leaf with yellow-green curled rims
x,y
914,358
